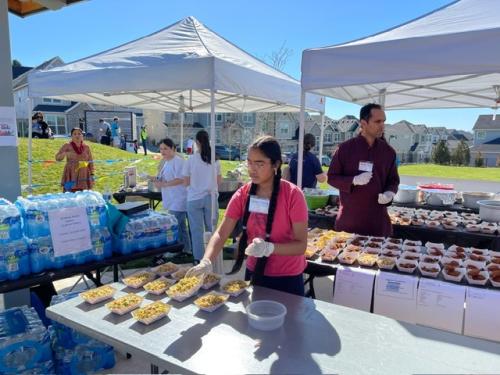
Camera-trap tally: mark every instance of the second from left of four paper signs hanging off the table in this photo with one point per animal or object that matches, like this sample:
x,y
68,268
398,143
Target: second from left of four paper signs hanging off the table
x,y
396,296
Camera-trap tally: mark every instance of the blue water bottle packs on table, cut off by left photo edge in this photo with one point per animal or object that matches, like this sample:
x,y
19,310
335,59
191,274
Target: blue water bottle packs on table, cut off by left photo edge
x,y
14,255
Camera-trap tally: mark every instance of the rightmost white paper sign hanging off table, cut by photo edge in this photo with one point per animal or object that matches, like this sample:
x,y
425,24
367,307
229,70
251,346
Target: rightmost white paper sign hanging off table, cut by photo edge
x,y
481,313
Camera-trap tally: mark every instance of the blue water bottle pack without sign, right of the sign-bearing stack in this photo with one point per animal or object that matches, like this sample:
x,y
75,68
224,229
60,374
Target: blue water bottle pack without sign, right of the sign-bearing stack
x,y
146,231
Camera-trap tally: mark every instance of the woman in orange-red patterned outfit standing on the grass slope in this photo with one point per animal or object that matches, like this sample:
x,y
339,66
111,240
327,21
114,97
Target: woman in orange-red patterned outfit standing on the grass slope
x,y
78,172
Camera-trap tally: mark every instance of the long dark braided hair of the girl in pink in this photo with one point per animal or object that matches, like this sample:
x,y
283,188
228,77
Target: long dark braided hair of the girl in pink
x,y
272,150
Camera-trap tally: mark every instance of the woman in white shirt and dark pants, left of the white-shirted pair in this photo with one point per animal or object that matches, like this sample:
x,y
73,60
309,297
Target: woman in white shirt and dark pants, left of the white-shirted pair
x,y
173,192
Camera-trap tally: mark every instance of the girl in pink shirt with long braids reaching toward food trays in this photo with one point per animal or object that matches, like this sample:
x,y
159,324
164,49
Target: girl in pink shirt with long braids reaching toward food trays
x,y
274,217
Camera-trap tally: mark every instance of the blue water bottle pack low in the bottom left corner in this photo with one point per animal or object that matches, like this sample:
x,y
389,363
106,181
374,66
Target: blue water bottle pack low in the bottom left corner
x,y
24,343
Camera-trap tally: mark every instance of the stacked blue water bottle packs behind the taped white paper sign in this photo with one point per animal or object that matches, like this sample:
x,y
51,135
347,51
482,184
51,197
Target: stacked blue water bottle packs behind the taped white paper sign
x,y
35,215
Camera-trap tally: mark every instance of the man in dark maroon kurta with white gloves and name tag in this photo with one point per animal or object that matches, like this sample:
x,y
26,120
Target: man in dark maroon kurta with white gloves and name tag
x,y
365,172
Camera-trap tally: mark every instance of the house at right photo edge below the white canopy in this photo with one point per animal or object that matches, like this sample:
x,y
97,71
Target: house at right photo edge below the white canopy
x,y
486,140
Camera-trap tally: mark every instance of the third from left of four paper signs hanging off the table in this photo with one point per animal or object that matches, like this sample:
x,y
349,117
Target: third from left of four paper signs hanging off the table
x,y
440,305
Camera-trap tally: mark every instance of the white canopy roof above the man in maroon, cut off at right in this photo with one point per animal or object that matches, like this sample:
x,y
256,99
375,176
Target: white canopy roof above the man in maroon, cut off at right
x,y
449,58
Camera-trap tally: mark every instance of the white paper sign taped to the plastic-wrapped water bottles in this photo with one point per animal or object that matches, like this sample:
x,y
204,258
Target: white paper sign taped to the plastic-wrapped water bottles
x,y
70,230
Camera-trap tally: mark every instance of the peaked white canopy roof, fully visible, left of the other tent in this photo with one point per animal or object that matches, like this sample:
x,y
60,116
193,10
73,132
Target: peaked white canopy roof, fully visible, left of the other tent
x,y
185,59
